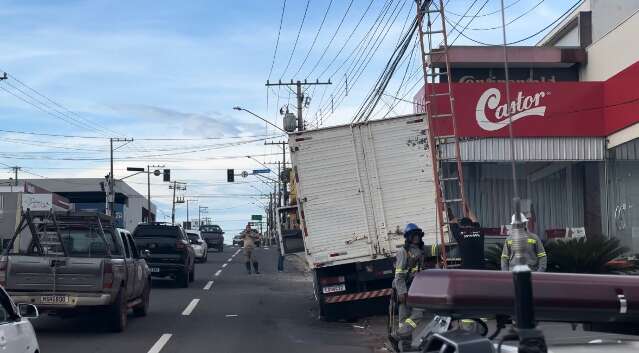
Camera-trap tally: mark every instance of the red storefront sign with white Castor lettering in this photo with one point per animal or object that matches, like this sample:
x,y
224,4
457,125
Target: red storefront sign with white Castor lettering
x,y
538,109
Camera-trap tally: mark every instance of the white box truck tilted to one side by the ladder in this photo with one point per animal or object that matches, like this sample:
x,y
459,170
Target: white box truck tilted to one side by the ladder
x,y
357,187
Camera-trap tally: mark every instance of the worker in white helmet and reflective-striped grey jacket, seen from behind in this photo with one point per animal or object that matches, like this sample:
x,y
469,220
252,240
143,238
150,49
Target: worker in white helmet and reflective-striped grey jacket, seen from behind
x,y
535,254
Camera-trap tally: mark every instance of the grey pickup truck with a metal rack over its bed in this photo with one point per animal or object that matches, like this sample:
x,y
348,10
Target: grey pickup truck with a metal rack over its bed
x,y
75,263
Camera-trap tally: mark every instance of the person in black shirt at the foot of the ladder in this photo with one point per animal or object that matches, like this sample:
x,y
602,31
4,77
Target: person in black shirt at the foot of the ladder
x,y
470,240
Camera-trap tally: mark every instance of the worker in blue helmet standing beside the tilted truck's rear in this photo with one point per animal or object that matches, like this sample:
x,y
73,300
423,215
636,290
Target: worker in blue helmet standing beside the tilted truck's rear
x,y
409,261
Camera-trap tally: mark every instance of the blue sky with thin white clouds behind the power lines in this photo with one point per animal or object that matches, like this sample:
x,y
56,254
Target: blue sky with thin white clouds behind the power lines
x,y
168,69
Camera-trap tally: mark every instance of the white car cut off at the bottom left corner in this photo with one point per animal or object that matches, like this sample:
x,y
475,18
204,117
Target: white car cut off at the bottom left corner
x,y
16,331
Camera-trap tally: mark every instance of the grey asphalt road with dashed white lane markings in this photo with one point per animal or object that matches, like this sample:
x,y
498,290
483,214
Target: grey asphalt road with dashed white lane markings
x,y
271,312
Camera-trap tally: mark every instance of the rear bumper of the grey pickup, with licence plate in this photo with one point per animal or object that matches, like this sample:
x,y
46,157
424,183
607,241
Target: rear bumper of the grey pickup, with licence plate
x,y
75,299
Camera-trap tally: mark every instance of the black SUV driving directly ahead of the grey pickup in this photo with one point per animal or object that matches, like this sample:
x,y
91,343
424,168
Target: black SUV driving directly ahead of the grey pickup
x,y
170,251
